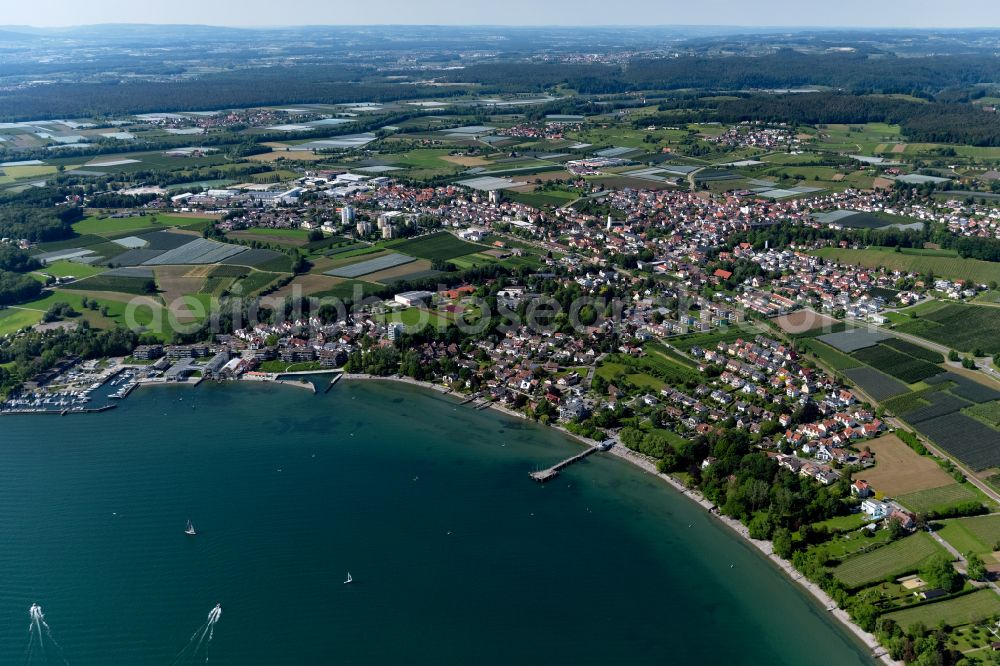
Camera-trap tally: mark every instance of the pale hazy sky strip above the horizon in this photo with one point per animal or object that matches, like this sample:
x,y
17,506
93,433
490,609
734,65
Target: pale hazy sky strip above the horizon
x,y
842,13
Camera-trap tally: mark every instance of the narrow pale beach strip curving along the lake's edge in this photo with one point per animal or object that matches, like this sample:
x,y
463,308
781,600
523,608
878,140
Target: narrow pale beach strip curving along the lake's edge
x,y
646,465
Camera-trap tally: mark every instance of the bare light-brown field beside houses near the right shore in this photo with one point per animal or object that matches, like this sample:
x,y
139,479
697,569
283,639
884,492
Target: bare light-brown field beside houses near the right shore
x,y
900,470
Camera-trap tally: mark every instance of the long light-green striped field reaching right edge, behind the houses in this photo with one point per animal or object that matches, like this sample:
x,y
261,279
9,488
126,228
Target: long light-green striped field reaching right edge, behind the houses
x,y
980,272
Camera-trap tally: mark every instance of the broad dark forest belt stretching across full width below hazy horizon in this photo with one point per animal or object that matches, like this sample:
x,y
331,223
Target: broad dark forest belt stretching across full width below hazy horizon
x,y
927,76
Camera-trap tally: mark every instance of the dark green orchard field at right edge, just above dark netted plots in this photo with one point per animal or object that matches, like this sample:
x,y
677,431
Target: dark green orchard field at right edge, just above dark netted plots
x,y
962,327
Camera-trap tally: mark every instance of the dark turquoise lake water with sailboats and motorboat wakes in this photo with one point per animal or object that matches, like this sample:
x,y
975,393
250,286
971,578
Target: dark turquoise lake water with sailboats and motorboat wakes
x,y
457,556
